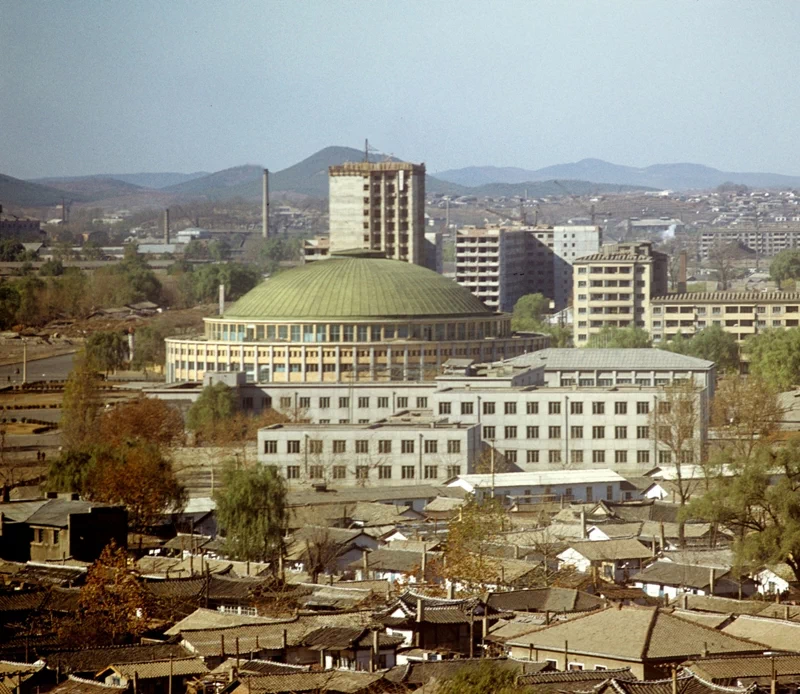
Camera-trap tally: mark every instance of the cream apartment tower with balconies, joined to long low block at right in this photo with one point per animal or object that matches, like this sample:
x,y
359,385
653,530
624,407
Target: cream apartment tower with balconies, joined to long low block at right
x,y
614,288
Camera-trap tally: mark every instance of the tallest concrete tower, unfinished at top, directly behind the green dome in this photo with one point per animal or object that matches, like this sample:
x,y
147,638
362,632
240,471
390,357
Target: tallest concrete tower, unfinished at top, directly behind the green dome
x,y
379,206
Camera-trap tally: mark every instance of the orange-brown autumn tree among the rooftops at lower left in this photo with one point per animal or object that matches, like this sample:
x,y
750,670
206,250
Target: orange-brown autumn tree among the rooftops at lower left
x,y
113,606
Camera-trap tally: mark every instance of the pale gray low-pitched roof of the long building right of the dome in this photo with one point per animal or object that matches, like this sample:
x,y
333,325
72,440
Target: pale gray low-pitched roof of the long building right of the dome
x,y
622,359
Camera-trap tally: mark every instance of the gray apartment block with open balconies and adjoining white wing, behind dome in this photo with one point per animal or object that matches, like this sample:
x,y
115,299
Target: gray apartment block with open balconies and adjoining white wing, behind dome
x,y
501,264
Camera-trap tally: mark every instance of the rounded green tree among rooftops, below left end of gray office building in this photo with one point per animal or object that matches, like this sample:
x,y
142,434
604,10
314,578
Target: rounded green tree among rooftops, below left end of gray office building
x,y
251,510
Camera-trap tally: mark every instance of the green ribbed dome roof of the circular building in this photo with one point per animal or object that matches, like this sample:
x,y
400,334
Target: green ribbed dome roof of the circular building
x,y
357,287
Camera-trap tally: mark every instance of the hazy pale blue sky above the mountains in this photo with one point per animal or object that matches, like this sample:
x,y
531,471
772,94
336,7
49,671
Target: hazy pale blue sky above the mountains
x,y
114,86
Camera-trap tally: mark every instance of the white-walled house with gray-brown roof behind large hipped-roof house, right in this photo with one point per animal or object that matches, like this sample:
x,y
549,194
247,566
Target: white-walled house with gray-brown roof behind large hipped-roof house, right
x,y
667,578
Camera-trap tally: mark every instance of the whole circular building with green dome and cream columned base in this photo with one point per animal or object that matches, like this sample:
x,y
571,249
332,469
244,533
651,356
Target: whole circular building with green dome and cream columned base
x,y
356,316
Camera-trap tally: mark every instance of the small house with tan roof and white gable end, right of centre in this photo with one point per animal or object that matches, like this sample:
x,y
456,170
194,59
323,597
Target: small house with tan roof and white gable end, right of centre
x,y
611,560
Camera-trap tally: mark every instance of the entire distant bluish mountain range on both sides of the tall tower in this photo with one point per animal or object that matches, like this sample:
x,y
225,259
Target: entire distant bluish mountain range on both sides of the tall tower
x,y
309,177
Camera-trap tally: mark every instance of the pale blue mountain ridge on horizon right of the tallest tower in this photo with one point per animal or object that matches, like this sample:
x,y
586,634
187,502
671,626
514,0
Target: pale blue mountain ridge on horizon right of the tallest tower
x,y
660,176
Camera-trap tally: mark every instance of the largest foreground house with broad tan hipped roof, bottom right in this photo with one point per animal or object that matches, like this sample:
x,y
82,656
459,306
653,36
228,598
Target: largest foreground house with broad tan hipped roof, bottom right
x,y
646,639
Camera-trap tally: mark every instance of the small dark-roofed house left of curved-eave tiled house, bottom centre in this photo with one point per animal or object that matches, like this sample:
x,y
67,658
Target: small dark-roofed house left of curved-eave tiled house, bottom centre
x,y
353,648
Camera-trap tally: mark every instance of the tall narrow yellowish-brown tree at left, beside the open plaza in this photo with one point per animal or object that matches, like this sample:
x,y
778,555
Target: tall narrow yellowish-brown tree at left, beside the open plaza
x,y
80,407
